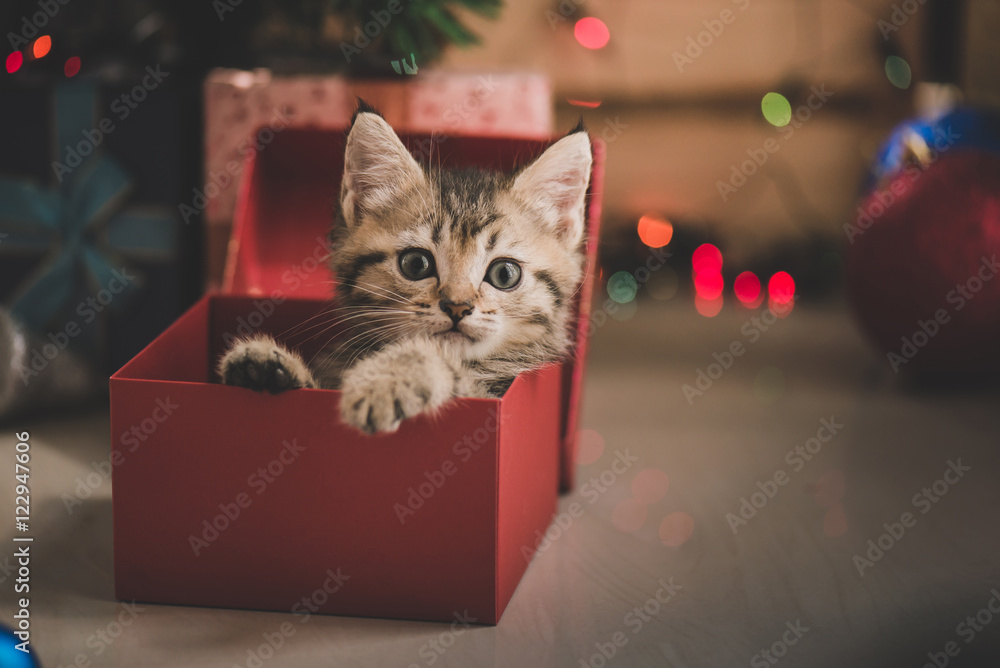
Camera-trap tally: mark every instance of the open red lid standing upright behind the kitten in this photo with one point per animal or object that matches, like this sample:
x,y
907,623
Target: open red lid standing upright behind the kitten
x,y
287,203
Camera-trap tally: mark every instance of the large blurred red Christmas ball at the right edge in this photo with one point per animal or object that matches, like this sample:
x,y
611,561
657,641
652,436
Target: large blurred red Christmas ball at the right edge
x,y
923,267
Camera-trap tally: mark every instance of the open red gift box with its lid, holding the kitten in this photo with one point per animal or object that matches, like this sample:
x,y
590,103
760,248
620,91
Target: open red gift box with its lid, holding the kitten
x,y
227,497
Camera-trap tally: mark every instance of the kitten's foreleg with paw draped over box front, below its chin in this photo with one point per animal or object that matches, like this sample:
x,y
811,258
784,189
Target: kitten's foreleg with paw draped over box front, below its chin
x,y
404,379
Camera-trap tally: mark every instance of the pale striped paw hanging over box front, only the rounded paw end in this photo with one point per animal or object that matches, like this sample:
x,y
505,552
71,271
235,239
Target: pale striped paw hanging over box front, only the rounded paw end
x,y
382,391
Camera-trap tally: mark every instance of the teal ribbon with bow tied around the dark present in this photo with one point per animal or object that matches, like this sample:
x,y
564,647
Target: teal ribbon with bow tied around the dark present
x,y
80,222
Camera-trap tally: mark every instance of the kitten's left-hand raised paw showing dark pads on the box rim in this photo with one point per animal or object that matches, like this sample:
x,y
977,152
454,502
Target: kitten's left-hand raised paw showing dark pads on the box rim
x,y
260,364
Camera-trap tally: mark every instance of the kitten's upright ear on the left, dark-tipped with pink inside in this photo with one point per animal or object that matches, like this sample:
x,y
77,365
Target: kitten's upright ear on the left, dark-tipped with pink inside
x,y
376,167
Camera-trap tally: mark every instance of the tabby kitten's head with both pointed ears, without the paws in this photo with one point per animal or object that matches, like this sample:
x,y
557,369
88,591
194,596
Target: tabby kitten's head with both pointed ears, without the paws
x,y
486,263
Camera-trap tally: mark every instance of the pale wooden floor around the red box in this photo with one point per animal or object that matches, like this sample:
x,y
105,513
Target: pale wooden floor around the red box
x,y
655,565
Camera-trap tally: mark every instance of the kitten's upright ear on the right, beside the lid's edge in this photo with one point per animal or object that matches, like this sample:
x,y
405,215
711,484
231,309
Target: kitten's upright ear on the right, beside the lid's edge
x,y
558,180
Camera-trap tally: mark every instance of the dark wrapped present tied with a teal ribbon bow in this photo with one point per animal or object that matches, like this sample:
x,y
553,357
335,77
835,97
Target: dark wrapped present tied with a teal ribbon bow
x,y
88,218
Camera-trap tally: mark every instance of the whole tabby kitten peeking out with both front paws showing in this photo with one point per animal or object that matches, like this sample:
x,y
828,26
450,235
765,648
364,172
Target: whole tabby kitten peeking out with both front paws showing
x,y
450,282
